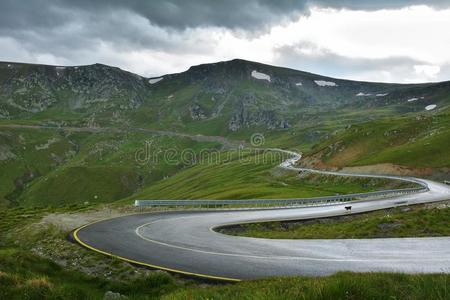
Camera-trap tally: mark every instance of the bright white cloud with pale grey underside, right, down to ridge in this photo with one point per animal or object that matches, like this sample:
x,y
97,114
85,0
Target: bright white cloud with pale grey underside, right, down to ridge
x,y
402,45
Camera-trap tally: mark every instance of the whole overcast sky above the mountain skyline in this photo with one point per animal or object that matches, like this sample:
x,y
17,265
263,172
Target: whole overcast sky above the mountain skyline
x,y
384,40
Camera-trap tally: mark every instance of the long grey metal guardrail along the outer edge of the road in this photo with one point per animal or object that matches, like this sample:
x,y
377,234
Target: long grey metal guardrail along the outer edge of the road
x,y
277,202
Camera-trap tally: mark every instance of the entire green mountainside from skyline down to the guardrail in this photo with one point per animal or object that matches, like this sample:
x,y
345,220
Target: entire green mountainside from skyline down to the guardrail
x,y
98,114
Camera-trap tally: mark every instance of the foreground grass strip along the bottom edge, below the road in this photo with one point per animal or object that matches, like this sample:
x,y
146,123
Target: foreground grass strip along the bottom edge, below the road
x,y
25,276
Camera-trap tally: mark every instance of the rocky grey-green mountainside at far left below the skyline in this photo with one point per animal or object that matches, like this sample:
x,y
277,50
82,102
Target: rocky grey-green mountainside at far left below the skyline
x,y
35,88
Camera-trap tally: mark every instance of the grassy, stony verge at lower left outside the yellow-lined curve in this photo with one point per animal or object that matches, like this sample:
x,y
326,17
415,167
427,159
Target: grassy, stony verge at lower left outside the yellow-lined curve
x,y
38,262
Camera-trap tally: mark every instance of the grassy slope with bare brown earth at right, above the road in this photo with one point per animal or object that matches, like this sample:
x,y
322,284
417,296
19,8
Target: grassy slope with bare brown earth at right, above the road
x,y
410,141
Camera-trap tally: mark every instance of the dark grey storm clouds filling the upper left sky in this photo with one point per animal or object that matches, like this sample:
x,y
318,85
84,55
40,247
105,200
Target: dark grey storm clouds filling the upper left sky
x,y
66,24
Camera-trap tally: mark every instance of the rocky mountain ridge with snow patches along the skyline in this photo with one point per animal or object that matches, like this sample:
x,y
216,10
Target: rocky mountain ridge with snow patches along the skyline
x,y
217,99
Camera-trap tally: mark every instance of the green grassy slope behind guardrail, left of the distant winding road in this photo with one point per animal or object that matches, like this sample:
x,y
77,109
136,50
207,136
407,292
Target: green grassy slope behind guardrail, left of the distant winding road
x,y
79,167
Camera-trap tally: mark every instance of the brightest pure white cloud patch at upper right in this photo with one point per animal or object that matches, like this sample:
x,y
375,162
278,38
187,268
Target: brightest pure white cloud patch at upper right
x,y
402,32
